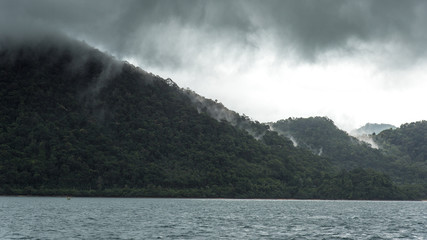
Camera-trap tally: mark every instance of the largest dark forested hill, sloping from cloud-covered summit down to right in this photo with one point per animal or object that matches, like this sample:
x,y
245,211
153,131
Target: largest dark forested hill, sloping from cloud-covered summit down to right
x,y
76,121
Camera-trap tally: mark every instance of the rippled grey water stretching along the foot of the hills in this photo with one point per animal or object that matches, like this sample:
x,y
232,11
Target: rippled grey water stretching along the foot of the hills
x,y
141,218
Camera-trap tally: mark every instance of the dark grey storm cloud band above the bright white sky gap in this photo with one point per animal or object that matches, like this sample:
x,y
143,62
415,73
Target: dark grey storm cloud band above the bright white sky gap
x,y
172,33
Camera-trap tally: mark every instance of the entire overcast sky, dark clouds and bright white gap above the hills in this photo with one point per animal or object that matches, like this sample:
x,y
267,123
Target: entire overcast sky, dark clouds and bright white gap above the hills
x,y
352,61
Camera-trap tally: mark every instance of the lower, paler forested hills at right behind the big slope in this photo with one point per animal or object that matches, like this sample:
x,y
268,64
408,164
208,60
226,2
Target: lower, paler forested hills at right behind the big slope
x,y
401,154
